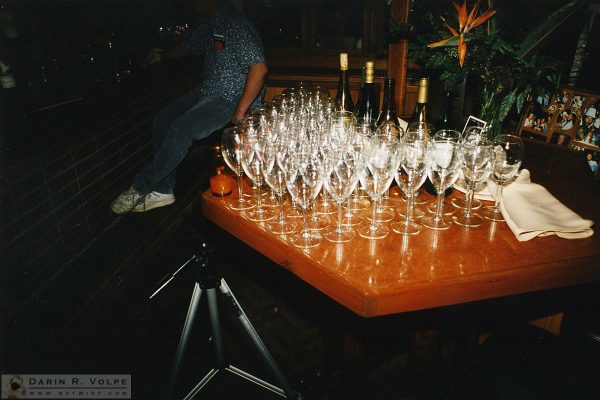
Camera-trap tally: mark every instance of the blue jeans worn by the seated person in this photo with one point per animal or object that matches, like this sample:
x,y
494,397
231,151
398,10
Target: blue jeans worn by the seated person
x,y
191,117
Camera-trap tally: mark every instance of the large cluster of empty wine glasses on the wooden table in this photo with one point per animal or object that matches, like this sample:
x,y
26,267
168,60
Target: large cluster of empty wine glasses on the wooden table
x,y
334,167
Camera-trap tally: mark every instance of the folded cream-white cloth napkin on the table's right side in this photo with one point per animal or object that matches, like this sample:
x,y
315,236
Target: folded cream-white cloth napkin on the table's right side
x,y
530,211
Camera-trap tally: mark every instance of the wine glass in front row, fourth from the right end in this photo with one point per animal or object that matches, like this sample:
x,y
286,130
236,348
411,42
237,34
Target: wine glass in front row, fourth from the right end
x,y
410,175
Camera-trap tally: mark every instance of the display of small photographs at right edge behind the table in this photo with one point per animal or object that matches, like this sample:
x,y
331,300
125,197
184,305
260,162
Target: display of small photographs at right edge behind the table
x,y
570,118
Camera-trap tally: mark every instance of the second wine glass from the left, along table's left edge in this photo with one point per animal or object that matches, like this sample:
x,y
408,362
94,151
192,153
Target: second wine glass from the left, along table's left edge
x,y
252,163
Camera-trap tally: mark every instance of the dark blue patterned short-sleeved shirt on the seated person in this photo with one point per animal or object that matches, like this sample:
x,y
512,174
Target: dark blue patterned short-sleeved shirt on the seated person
x,y
229,45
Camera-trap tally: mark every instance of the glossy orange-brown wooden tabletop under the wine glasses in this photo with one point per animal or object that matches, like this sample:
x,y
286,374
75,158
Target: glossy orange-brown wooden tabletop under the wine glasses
x,y
439,268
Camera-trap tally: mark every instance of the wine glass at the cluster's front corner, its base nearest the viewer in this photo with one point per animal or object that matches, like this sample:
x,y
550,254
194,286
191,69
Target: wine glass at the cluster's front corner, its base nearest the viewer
x,y
303,179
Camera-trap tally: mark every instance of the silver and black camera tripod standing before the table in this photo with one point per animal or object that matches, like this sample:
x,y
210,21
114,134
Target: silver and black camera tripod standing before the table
x,y
209,280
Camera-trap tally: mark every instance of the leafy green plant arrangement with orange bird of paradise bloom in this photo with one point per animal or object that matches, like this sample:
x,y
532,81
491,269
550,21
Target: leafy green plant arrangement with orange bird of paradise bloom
x,y
465,43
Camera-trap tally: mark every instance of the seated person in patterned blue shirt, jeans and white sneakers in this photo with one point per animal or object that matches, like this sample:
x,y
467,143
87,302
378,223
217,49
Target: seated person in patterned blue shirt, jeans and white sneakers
x,y
234,75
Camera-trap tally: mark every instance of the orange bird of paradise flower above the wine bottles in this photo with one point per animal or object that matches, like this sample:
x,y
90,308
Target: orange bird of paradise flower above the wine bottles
x,y
465,24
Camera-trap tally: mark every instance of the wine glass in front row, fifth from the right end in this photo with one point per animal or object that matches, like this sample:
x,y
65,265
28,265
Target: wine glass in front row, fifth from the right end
x,y
381,159
